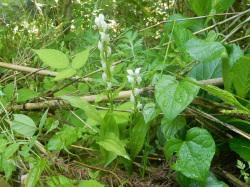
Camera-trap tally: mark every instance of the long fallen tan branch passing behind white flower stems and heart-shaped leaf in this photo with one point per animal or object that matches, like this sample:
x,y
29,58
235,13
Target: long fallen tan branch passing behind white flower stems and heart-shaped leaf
x,y
92,98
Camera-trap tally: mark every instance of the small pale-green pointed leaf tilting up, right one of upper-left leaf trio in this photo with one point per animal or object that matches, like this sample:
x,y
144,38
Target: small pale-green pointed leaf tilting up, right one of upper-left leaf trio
x,y
80,59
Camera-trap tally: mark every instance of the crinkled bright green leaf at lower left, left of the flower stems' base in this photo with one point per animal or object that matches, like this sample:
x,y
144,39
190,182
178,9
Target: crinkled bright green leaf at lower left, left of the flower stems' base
x,y
63,138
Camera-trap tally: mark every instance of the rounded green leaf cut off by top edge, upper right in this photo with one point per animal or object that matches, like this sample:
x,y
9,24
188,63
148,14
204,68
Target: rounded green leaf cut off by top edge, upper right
x,y
200,7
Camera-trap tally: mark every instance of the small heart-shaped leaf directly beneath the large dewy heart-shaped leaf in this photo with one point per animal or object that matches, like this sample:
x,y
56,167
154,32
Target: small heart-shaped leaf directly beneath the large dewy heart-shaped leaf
x,y
170,128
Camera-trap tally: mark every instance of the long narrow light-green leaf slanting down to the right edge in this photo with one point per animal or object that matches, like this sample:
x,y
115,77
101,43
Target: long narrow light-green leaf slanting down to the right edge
x,y
224,95
